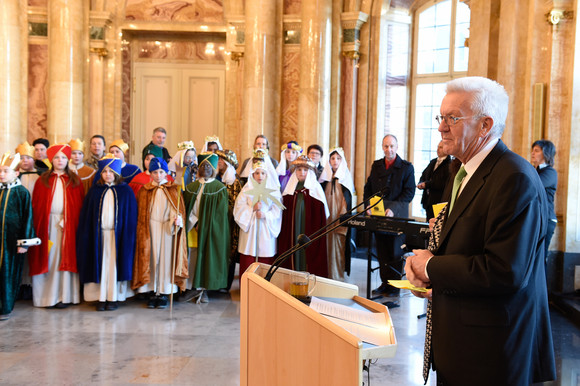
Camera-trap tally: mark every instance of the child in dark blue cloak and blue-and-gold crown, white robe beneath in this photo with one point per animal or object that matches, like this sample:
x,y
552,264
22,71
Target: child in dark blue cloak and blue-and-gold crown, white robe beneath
x,y
106,237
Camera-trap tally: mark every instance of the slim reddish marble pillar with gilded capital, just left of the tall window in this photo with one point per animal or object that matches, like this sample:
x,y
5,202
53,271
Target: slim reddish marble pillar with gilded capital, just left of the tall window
x,y
351,24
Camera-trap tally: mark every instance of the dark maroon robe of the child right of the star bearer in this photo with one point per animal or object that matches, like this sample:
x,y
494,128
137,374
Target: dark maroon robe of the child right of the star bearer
x,y
316,260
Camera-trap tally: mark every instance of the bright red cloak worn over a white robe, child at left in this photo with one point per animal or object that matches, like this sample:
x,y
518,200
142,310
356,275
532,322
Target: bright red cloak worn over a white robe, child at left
x,y
41,204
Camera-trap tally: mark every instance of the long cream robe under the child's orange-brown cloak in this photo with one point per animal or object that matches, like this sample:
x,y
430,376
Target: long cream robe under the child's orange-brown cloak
x,y
161,223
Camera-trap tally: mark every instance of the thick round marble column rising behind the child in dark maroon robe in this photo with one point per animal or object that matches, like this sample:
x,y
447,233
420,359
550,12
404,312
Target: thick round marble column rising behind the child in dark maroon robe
x,y
314,93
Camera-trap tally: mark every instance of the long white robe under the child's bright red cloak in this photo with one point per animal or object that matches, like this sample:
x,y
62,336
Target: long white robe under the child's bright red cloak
x,y
55,286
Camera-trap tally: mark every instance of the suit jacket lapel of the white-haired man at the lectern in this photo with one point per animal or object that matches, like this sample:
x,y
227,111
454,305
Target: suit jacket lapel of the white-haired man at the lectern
x,y
470,190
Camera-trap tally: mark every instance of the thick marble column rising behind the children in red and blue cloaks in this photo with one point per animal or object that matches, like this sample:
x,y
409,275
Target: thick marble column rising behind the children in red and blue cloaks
x,y
68,42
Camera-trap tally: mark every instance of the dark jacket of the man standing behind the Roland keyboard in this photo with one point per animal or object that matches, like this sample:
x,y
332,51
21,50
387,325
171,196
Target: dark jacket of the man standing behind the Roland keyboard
x,y
400,177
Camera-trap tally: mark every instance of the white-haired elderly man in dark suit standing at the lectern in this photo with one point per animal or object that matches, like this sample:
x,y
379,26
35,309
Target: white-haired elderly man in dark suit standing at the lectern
x,y
490,321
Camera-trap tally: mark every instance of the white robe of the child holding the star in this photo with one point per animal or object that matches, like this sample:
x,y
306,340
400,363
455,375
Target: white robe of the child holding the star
x,y
257,236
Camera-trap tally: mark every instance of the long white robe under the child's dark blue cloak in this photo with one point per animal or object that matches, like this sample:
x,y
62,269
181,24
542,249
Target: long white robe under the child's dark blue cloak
x,y
109,289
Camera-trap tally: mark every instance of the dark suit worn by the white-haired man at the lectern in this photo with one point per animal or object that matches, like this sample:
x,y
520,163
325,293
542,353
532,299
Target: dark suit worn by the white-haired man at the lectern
x,y
491,324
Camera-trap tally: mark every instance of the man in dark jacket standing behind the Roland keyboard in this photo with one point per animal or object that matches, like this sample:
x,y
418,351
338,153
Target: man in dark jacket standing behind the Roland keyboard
x,y
397,175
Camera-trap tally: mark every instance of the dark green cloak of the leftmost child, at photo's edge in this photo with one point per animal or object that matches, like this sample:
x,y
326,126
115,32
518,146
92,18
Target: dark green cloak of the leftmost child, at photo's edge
x,y
16,221
